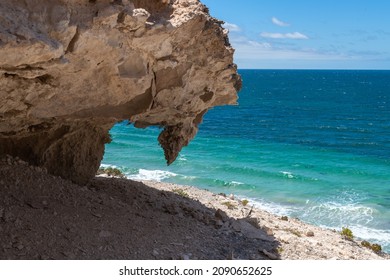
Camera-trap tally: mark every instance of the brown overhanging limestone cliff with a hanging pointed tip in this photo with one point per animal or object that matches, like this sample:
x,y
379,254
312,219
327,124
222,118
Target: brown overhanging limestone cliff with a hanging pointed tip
x,y
69,70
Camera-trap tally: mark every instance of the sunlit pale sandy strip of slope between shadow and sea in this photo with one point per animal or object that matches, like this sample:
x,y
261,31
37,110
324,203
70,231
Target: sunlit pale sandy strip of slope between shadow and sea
x,y
296,240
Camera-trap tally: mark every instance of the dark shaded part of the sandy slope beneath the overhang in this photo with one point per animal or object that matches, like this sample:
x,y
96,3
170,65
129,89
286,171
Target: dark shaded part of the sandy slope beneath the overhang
x,y
45,217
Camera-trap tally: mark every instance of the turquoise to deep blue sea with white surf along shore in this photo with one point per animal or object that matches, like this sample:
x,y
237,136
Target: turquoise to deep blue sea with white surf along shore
x,y
303,143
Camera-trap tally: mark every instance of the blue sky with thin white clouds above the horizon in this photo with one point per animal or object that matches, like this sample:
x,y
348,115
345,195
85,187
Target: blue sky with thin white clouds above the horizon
x,y
307,34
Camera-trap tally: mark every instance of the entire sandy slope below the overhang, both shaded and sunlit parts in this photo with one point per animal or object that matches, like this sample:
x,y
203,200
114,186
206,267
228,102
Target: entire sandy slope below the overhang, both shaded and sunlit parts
x,y
46,217
